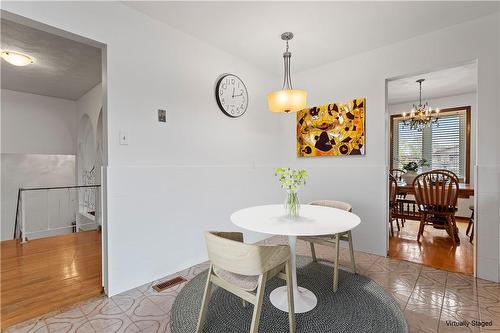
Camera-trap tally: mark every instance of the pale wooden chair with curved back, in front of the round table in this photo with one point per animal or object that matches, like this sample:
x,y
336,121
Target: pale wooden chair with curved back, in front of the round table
x,y
243,270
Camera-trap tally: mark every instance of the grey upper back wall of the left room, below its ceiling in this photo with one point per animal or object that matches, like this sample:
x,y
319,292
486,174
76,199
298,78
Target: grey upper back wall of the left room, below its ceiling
x,y
34,124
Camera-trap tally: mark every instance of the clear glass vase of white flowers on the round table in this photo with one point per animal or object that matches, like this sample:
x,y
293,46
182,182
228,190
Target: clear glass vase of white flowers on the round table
x,y
290,180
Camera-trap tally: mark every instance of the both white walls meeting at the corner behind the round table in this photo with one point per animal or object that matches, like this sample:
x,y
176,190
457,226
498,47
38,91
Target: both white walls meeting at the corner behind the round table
x,y
177,179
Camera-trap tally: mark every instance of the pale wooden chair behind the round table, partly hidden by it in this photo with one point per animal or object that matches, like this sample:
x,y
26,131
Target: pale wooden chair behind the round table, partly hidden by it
x,y
332,240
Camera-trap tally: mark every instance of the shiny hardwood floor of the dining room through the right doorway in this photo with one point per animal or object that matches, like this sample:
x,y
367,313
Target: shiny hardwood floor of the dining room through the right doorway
x,y
435,248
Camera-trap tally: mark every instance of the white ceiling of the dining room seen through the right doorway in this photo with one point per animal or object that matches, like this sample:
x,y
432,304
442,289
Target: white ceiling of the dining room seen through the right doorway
x,y
446,82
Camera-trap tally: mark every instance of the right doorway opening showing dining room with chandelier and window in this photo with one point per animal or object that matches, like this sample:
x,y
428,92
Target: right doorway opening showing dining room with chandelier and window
x,y
443,148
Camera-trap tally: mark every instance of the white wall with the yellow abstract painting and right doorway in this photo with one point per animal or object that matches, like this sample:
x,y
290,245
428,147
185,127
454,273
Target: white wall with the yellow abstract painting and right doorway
x,y
364,75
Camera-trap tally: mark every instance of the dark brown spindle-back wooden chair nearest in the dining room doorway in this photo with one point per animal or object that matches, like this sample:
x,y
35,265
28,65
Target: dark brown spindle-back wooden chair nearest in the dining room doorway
x,y
436,193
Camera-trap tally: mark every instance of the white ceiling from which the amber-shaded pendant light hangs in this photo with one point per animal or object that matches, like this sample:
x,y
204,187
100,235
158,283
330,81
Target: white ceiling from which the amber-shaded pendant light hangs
x,y
324,31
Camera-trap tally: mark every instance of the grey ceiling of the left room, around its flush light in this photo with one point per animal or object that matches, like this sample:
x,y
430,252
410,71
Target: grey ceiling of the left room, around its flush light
x,y
63,68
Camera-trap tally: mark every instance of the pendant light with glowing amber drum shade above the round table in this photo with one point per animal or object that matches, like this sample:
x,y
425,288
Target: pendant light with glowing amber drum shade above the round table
x,y
287,99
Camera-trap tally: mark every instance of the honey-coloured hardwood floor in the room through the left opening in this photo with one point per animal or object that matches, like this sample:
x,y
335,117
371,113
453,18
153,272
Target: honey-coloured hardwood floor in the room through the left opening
x,y
48,274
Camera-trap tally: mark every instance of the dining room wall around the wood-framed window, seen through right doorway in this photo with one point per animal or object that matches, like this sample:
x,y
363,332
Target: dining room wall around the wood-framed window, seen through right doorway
x,y
450,102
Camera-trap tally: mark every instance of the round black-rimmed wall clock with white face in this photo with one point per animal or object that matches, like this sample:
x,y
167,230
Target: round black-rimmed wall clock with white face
x,y
231,95
